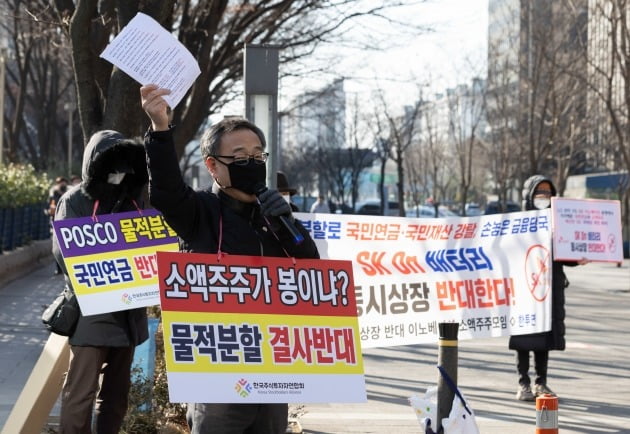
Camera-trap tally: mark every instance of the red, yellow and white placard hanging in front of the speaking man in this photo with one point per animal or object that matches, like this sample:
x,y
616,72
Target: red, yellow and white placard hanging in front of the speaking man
x,y
251,329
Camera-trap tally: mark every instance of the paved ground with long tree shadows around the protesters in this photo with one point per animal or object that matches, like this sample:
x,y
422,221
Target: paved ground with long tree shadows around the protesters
x,y
592,376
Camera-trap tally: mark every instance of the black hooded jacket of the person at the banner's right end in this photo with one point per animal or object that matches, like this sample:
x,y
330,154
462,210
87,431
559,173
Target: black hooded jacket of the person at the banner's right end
x,y
553,339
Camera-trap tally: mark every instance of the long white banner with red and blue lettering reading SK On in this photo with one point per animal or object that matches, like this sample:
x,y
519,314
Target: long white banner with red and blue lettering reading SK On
x,y
491,274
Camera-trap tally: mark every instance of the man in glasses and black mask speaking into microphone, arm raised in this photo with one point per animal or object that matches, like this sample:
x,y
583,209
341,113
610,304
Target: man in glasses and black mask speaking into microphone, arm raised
x,y
238,214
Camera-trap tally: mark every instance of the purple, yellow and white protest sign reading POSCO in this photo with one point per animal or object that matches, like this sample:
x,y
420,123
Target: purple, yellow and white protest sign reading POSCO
x,y
110,259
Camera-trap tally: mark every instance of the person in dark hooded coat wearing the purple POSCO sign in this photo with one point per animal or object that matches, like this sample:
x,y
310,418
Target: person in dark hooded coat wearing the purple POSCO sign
x,y
114,177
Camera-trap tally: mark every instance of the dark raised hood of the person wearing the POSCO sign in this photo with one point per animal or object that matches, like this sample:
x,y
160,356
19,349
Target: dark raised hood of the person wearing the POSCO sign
x,y
107,152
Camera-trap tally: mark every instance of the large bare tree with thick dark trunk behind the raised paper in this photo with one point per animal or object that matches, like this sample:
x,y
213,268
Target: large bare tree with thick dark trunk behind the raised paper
x,y
215,33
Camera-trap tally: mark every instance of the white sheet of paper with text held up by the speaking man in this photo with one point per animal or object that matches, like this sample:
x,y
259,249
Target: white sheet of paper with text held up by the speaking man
x,y
151,55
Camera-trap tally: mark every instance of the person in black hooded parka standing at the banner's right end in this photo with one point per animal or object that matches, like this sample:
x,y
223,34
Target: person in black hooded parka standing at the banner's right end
x,y
537,193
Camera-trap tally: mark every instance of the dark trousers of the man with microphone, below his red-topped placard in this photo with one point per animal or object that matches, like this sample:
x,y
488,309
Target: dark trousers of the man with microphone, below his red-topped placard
x,y
237,418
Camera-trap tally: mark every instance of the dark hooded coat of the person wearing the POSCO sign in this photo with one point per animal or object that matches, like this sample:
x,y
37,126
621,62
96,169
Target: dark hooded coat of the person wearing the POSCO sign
x,y
106,151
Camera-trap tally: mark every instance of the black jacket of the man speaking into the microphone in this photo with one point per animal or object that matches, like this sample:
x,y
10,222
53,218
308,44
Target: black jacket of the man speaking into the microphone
x,y
201,217
